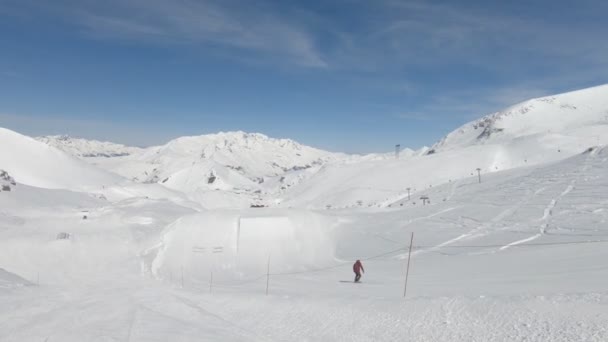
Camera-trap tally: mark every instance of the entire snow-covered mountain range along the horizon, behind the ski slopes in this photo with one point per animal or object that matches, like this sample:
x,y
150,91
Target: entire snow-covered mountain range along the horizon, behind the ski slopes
x,y
238,169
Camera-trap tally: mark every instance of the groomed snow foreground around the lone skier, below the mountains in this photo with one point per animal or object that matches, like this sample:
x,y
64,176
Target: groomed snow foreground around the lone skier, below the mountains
x,y
521,256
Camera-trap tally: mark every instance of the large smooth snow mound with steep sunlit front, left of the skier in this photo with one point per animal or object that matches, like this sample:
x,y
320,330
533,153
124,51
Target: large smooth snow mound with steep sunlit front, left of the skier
x,y
237,244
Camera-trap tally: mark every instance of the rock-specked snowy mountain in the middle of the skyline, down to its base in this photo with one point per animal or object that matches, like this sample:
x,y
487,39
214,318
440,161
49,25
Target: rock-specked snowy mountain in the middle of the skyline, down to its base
x,y
233,169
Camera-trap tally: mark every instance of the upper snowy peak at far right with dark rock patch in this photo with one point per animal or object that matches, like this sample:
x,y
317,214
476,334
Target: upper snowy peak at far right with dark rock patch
x,y
566,121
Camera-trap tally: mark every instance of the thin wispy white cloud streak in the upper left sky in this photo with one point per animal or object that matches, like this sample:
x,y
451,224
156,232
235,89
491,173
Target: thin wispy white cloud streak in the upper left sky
x,y
208,24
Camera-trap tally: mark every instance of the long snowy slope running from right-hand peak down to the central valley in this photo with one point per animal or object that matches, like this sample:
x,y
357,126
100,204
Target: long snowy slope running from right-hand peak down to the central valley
x,y
532,133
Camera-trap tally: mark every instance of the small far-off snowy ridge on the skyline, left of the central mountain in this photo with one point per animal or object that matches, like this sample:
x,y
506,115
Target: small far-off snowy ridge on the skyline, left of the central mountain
x,y
88,148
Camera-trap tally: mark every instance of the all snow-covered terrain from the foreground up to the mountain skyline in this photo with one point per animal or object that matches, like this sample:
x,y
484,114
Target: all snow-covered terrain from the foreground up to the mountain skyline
x,y
88,253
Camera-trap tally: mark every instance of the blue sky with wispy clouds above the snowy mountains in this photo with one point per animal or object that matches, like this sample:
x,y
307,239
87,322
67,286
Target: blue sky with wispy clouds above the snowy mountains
x,y
343,75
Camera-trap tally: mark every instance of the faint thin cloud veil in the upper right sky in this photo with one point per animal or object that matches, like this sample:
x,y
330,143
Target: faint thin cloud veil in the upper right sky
x,y
429,33
